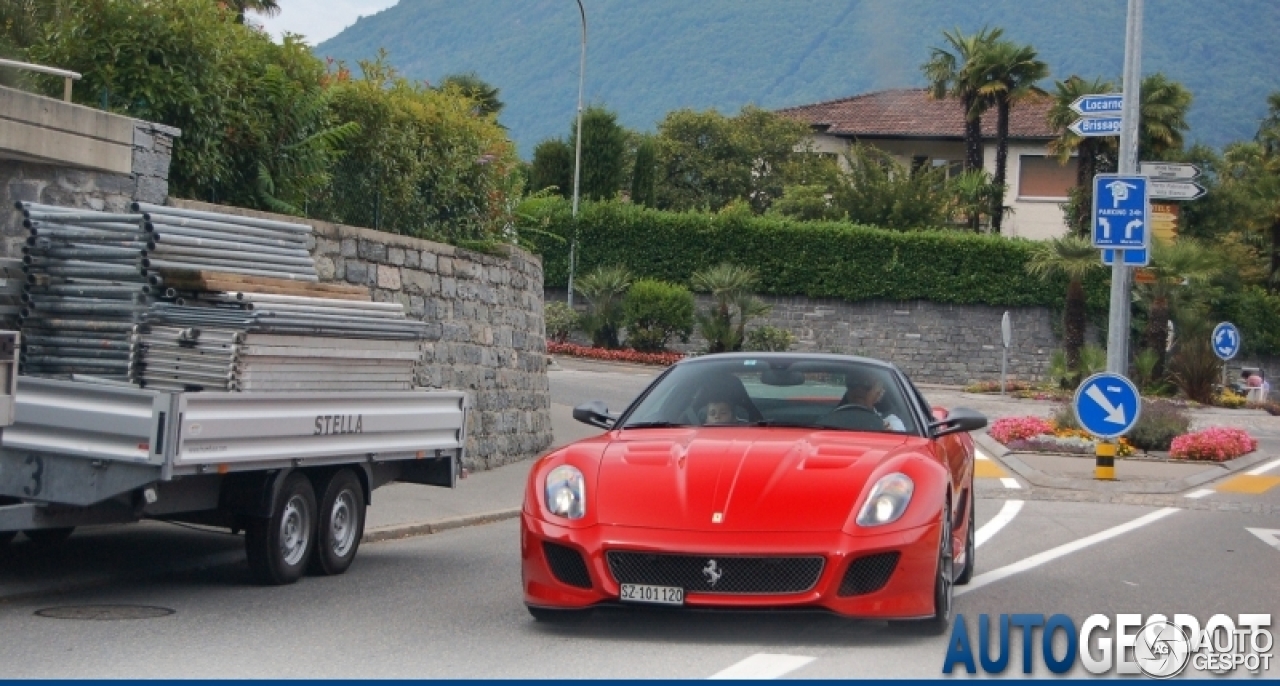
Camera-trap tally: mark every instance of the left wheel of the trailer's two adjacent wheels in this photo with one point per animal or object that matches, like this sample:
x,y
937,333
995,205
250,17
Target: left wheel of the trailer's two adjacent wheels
x,y
280,547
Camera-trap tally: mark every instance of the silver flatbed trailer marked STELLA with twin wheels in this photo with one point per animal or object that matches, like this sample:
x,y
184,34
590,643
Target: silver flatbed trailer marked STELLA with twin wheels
x,y
294,470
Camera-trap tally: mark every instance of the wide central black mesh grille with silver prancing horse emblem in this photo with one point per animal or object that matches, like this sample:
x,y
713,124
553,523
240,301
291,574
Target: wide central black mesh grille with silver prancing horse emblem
x,y
717,574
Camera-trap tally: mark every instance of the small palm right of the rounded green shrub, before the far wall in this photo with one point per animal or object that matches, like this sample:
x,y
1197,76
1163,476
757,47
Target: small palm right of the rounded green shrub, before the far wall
x,y
732,289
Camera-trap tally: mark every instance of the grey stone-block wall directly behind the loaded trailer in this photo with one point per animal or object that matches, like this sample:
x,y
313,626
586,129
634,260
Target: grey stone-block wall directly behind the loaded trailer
x,y
486,336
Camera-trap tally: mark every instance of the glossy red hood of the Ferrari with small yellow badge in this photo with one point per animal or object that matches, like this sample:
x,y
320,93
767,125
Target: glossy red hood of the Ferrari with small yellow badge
x,y
738,481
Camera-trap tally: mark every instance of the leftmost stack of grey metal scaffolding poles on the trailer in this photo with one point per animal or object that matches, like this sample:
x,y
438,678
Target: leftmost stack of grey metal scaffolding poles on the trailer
x,y
84,291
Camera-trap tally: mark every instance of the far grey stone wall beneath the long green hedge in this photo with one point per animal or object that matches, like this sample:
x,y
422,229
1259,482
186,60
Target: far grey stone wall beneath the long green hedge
x,y
932,344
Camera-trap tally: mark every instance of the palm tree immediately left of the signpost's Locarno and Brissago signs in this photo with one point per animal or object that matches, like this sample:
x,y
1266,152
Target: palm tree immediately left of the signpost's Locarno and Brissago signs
x,y
1092,153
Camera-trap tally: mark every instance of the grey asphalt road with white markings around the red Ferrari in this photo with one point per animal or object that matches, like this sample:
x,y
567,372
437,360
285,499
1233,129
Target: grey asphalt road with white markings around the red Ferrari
x,y
449,605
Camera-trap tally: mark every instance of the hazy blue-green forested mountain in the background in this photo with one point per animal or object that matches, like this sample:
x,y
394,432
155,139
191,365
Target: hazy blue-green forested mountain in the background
x,y
648,58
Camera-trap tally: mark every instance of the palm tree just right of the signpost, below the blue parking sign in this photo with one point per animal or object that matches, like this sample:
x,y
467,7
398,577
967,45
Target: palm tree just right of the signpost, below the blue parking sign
x,y
1173,266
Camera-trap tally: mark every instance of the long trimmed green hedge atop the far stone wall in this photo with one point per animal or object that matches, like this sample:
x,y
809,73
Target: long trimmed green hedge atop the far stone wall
x,y
819,260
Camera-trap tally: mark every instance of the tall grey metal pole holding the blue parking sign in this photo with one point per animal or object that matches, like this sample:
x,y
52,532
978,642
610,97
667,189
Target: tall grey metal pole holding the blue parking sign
x,y
1118,322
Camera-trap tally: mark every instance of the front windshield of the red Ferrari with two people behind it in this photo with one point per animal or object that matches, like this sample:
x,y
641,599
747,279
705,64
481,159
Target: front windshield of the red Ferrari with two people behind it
x,y
778,392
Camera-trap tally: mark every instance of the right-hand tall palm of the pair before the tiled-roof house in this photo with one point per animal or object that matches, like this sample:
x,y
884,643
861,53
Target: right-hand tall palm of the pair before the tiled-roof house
x,y
1009,72
